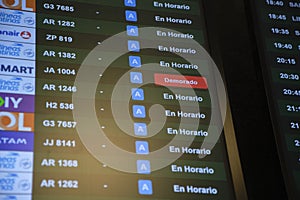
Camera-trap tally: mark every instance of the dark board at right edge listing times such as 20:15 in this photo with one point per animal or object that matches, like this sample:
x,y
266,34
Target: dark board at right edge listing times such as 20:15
x,y
278,33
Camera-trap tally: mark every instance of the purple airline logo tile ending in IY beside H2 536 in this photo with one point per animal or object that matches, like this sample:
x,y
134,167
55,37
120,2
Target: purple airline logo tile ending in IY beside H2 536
x,y
16,102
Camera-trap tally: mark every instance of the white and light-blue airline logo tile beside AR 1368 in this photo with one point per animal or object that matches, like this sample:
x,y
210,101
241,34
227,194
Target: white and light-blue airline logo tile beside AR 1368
x,y
11,161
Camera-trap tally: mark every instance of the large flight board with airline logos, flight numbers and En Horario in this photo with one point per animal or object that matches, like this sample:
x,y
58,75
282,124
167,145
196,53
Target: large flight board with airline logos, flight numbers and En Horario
x,y
110,99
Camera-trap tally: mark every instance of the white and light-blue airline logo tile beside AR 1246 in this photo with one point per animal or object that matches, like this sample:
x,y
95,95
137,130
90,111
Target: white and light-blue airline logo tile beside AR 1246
x,y
17,85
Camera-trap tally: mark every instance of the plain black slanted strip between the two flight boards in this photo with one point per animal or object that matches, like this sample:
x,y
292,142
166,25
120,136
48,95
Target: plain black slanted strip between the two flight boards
x,y
231,32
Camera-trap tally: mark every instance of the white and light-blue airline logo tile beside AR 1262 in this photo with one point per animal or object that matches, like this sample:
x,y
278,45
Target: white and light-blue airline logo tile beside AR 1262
x,y
15,183
